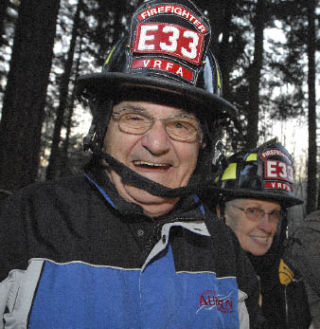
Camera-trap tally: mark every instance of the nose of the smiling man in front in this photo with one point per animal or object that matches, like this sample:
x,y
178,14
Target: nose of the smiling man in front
x,y
156,140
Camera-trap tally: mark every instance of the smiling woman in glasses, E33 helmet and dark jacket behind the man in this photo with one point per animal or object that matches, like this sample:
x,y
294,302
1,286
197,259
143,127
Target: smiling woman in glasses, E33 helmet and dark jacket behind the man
x,y
257,187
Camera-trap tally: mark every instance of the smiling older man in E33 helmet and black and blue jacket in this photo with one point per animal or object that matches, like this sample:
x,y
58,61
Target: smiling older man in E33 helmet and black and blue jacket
x,y
129,245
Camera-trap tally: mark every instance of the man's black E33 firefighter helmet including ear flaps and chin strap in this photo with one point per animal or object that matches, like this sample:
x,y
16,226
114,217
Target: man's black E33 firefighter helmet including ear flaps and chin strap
x,y
164,59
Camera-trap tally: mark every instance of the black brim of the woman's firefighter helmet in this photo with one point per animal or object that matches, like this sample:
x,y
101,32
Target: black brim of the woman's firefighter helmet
x,y
284,200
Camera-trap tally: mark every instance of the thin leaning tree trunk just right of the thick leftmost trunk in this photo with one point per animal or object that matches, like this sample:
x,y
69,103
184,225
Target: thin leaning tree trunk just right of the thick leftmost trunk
x,y
64,87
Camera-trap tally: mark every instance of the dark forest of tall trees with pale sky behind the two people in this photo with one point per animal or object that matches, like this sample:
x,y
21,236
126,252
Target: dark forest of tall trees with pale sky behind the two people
x,y
267,50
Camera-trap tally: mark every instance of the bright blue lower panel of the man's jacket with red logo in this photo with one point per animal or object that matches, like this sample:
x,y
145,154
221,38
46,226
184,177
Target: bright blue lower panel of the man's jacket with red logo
x,y
84,296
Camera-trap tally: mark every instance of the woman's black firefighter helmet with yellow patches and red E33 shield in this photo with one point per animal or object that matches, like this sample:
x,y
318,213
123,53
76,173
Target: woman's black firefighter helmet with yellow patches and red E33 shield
x,y
266,173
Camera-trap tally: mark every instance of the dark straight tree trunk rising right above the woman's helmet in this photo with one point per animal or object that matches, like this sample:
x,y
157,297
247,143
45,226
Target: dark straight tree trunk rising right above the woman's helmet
x,y
255,75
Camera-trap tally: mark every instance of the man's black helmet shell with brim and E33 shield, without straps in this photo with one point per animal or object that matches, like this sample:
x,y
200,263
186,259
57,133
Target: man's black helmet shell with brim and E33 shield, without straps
x,y
167,51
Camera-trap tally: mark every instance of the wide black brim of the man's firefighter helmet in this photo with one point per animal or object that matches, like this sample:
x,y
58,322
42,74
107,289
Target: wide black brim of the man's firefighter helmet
x,y
112,83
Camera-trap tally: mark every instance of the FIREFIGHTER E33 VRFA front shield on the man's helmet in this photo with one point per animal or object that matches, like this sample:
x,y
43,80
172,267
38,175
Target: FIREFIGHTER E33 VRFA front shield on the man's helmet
x,y
169,40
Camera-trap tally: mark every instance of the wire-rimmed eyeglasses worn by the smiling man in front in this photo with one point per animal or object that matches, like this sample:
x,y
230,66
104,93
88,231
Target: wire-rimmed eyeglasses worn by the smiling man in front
x,y
182,127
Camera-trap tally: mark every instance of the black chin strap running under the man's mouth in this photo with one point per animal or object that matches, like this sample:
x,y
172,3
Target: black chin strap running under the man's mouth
x,y
130,177
